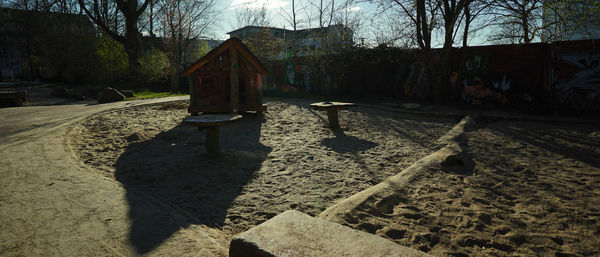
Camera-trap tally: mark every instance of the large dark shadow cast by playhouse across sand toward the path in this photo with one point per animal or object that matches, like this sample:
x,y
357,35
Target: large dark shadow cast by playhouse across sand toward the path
x,y
170,182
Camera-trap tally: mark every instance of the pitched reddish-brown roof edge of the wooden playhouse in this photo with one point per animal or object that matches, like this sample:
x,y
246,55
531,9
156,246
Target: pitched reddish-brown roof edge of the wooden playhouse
x,y
232,42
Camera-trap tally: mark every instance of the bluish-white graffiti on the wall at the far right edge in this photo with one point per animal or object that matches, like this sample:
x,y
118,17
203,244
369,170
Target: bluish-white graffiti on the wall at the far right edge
x,y
576,78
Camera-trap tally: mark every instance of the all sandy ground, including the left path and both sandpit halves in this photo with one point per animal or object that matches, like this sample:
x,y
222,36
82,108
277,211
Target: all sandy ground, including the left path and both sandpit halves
x,y
135,181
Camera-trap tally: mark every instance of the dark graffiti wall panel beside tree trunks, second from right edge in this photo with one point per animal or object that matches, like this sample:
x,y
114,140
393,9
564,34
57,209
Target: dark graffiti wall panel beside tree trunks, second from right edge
x,y
502,75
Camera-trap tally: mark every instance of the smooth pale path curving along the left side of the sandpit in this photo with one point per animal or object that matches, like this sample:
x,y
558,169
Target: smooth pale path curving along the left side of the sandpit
x,y
51,205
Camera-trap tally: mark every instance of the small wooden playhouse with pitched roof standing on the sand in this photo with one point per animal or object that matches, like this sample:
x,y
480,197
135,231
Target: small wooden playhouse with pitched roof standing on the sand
x,y
226,80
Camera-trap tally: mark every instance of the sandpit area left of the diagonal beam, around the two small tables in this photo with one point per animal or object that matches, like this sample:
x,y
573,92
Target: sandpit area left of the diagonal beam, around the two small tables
x,y
287,159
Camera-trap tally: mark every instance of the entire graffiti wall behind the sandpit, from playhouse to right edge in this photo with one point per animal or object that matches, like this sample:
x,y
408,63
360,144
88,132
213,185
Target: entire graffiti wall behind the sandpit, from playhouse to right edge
x,y
539,75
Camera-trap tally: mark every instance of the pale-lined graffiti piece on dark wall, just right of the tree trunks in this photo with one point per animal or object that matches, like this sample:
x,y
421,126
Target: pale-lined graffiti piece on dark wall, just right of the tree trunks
x,y
479,85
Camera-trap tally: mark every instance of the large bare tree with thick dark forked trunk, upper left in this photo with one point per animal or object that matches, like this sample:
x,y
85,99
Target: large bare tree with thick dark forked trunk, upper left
x,y
131,11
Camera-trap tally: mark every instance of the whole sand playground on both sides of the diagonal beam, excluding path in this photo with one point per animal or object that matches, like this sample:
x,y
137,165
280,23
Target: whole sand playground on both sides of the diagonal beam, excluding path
x,y
517,188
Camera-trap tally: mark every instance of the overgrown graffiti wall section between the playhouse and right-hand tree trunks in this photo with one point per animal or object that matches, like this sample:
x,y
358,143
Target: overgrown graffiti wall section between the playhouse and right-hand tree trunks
x,y
354,72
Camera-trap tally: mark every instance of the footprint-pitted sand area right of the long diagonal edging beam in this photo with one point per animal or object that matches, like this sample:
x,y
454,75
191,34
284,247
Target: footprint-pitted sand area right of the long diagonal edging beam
x,y
526,189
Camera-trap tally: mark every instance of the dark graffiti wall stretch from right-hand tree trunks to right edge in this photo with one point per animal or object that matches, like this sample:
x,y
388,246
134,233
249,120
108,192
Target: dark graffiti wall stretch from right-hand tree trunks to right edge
x,y
561,75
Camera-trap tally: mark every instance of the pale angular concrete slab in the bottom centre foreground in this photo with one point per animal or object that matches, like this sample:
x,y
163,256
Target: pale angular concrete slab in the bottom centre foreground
x,y
293,233
